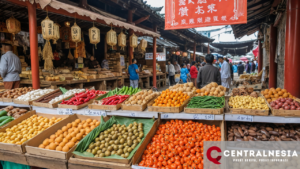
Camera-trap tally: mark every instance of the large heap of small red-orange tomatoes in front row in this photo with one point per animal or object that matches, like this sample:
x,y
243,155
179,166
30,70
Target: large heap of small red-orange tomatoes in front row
x,y
179,144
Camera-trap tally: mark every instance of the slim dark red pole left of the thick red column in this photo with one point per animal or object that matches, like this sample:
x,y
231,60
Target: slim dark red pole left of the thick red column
x,y
273,65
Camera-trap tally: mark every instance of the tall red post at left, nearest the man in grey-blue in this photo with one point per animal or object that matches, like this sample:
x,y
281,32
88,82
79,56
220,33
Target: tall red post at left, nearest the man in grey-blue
x,y
33,45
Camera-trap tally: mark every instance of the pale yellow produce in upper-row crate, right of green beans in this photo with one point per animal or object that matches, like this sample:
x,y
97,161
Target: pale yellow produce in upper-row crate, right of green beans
x,y
248,102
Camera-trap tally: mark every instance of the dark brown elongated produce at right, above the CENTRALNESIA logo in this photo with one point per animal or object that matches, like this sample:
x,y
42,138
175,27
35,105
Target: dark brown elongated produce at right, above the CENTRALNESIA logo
x,y
262,132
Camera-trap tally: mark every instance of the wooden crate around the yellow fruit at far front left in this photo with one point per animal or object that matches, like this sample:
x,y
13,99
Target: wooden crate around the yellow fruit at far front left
x,y
21,148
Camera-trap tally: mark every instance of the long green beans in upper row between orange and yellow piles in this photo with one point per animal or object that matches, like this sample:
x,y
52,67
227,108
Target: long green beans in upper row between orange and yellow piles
x,y
208,102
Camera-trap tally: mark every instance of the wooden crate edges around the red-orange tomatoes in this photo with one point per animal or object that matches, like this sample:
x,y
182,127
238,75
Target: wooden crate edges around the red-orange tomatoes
x,y
152,132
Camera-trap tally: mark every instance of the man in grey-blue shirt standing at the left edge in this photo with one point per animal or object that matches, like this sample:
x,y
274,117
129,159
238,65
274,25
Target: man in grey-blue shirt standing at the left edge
x,y
10,68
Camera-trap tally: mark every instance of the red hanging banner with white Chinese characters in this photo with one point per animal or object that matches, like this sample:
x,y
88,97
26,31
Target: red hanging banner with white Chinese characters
x,y
183,14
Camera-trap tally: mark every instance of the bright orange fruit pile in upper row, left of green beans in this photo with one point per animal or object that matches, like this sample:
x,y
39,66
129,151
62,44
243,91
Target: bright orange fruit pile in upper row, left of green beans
x,y
170,99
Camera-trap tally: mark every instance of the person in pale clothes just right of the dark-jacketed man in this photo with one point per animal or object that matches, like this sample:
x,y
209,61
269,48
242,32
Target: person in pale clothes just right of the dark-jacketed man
x,y
225,73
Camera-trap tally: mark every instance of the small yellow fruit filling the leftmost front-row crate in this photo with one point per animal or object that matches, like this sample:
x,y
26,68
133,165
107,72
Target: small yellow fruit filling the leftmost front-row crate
x,y
27,129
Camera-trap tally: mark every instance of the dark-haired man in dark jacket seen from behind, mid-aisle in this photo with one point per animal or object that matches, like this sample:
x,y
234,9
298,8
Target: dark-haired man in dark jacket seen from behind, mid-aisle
x,y
208,73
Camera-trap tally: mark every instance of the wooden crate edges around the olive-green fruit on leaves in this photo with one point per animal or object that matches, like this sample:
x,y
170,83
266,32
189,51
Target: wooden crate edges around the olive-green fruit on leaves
x,y
91,162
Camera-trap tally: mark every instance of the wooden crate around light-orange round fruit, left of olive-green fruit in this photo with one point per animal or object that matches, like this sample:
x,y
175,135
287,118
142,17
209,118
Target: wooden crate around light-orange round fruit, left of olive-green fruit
x,y
32,145
